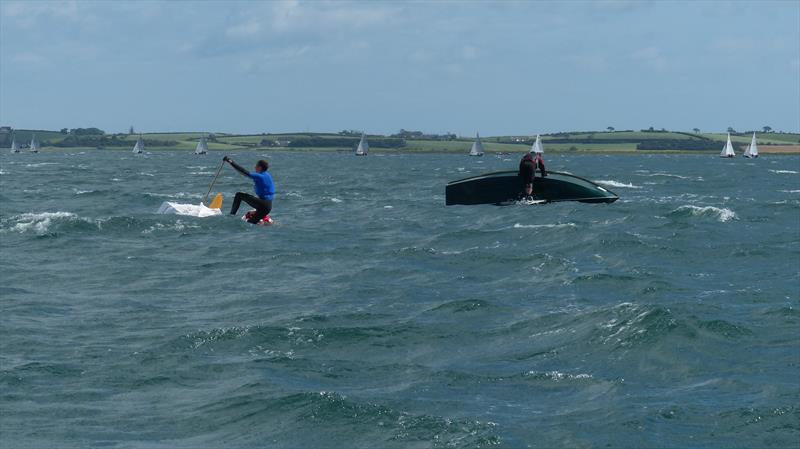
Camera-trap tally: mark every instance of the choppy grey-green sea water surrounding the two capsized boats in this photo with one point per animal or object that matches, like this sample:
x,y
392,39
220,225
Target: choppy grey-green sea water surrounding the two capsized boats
x,y
372,316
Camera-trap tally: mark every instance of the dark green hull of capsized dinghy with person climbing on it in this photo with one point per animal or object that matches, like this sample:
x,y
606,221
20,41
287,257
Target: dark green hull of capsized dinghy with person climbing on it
x,y
504,187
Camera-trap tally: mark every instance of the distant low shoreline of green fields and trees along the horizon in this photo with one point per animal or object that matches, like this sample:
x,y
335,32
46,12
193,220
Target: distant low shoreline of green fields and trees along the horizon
x,y
409,142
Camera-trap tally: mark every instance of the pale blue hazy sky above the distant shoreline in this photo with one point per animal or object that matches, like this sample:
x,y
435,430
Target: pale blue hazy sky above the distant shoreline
x,y
498,68
